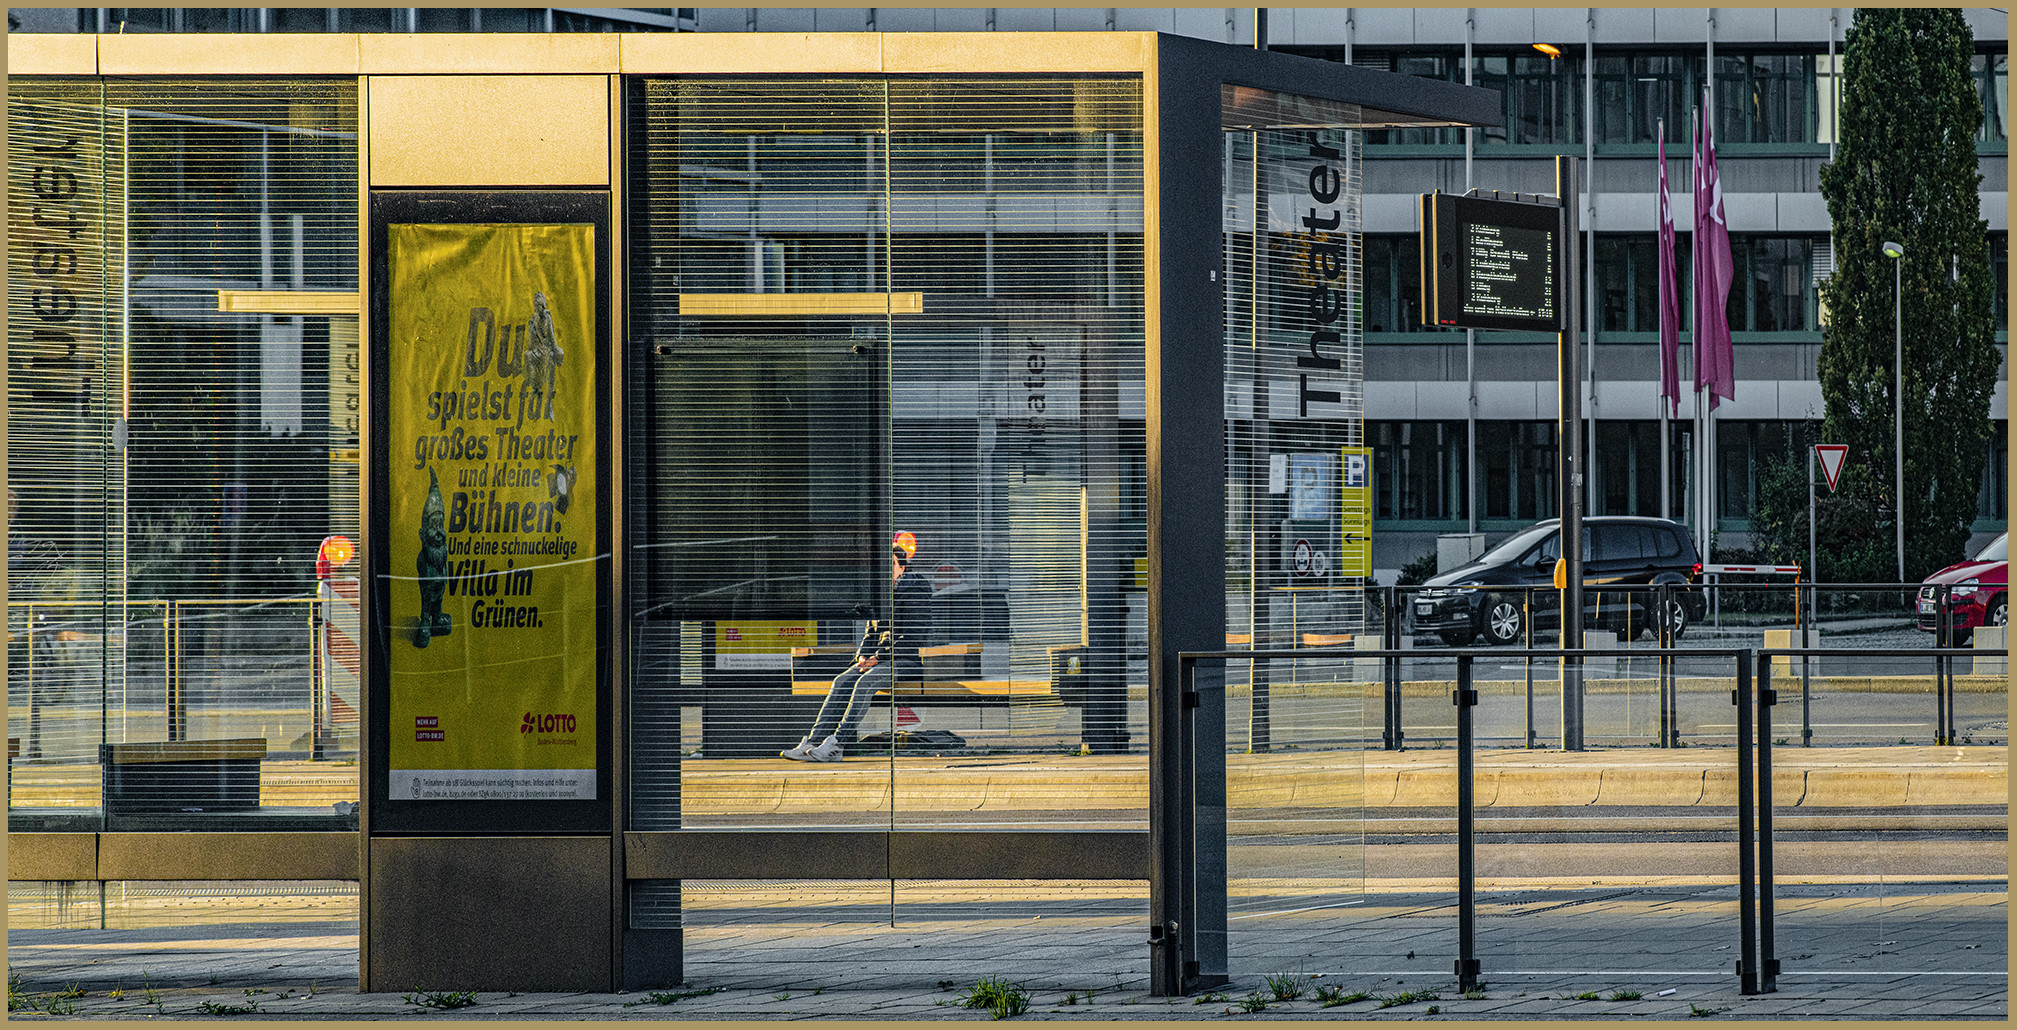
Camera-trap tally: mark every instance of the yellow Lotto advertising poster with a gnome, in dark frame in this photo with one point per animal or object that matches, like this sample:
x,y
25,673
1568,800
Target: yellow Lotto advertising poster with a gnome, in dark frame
x,y
493,513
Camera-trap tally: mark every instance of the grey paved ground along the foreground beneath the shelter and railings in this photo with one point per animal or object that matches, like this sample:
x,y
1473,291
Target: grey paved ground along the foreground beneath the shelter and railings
x,y
1661,950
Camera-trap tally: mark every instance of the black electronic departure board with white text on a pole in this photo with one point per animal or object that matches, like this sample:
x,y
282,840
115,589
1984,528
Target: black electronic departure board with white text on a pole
x,y
1492,263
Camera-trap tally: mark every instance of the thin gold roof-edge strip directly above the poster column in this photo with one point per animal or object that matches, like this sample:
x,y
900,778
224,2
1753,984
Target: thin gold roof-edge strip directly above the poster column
x,y
487,53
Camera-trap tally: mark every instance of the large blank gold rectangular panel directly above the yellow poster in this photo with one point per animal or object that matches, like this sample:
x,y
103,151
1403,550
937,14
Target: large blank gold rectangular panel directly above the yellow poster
x,y
489,130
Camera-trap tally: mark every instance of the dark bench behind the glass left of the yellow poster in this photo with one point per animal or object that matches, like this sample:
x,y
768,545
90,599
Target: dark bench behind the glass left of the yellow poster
x,y
183,775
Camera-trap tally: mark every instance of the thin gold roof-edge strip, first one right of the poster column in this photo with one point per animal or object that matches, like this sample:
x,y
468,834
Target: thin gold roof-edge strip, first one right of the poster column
x,y
757,53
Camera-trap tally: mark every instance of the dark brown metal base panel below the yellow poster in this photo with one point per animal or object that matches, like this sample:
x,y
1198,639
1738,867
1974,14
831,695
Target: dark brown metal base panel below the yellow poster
x,y
527,914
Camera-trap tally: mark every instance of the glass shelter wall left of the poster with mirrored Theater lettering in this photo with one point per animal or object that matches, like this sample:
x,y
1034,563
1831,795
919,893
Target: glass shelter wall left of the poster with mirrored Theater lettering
x,y
176,467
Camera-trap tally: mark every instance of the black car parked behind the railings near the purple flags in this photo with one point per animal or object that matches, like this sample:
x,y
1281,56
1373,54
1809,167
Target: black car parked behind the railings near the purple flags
x,y
1488,596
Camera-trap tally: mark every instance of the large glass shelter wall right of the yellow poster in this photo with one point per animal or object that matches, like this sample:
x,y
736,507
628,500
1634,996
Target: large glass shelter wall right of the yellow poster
x,y
927,301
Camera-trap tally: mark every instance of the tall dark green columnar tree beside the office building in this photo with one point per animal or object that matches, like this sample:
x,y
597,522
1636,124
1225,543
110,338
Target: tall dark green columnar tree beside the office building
x,y
1905,170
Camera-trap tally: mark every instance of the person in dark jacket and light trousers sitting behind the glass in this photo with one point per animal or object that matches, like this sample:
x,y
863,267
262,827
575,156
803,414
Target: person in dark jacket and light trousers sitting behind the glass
x,y
888,652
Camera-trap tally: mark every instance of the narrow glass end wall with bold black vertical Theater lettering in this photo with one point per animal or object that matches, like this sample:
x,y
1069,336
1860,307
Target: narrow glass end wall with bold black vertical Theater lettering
x,y
1300,507
